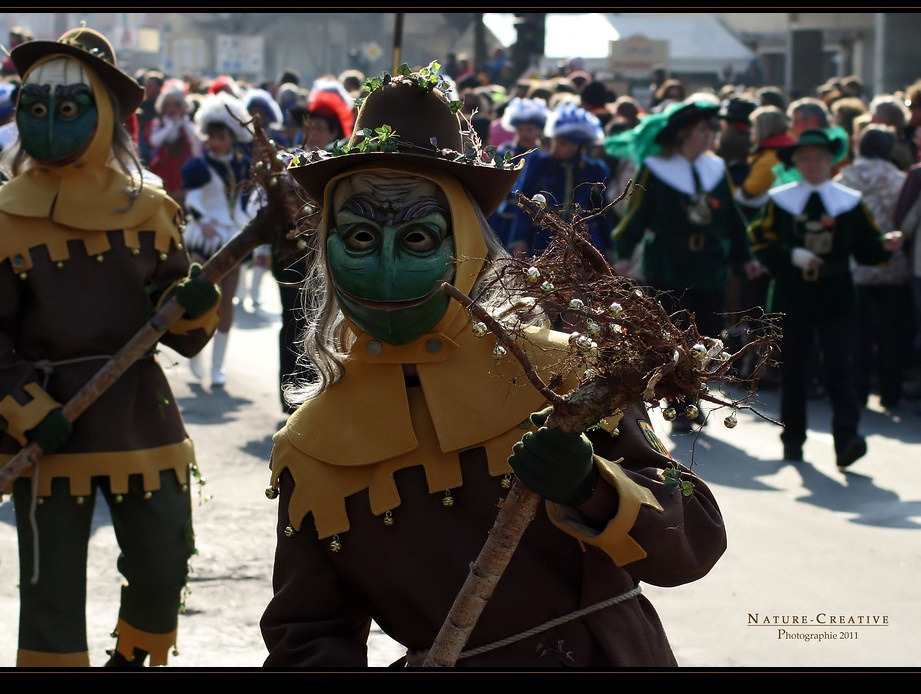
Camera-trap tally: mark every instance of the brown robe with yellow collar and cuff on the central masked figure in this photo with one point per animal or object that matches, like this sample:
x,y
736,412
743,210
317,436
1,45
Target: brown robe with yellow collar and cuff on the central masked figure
x,y
404,554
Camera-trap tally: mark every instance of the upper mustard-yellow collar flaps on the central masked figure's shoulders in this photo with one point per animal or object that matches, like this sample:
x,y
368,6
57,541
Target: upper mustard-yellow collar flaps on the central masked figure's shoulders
x,y
470,395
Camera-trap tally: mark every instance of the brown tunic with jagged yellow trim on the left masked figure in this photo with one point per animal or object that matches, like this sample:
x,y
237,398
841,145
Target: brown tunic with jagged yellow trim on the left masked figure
x,y
71,298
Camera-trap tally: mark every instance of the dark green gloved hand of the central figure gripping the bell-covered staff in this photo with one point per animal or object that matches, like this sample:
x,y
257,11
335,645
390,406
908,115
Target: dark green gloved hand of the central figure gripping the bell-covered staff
x,y
555,464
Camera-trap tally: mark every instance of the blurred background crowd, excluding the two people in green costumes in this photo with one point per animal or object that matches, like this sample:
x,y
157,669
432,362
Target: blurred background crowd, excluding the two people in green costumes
x,y
562,120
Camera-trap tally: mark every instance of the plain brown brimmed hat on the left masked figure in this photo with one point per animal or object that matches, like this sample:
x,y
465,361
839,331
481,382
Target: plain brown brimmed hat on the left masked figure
x,y
91,47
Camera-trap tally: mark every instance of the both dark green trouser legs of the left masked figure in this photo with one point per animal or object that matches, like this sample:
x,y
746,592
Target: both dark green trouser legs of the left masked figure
x,y
154,534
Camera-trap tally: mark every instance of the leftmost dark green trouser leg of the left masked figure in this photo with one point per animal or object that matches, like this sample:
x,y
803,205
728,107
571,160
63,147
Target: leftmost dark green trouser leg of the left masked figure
x,y
52,616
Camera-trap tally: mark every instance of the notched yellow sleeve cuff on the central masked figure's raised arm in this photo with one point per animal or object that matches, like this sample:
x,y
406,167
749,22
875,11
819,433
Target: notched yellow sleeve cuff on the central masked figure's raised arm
x,y
614,539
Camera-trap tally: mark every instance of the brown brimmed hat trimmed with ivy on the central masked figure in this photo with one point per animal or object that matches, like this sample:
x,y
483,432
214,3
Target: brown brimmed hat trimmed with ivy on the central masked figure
x,y
408,122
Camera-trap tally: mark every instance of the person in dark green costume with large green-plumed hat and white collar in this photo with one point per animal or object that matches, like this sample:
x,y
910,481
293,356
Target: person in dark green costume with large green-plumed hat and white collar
x,y
683,215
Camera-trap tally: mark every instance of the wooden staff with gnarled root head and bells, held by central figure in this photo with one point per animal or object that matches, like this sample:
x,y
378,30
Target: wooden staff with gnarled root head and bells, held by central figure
x,y
665,362
